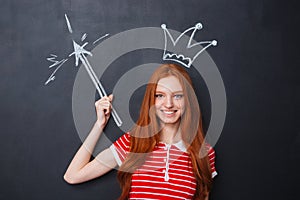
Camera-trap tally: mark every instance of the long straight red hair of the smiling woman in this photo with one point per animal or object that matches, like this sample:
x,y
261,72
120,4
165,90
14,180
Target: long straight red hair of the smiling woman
x,y
145,134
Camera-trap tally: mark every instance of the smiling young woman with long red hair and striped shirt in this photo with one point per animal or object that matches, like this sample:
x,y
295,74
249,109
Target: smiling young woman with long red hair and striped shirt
x,y
164,156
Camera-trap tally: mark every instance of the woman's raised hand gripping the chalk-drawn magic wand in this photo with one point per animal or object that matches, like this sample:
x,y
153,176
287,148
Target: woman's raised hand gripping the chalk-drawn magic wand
x,y
103,109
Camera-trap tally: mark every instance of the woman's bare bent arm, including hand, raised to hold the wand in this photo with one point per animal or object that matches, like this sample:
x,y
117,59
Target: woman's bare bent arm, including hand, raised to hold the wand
x,y
81,169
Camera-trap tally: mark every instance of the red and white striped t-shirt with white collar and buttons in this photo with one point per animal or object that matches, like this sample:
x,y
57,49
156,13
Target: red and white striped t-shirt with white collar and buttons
x,y
166,174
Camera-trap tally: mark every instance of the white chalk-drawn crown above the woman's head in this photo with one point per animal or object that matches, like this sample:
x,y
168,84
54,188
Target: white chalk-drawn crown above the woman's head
x,y
191,51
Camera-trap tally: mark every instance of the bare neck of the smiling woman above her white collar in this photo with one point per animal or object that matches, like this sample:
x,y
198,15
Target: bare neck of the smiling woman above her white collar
x,y
170,133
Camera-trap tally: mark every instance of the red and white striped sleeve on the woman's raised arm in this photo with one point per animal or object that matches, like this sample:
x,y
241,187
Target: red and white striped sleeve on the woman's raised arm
x,y
120,148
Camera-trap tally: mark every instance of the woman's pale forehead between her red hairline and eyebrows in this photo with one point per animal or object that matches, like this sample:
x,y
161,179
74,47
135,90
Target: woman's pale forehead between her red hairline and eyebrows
x,y
170,83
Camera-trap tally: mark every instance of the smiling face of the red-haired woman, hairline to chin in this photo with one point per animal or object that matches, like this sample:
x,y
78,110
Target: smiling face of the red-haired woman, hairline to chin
x,y
169,100
